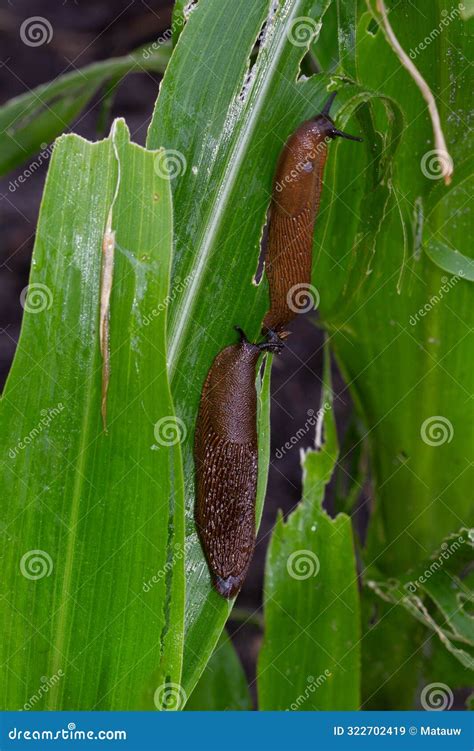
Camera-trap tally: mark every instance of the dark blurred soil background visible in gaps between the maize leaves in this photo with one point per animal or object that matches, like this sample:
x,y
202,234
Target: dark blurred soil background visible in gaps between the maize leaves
x,y
84,32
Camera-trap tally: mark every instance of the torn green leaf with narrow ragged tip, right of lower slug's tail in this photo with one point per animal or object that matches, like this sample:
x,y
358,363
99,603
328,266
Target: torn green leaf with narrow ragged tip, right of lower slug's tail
x,y
312,627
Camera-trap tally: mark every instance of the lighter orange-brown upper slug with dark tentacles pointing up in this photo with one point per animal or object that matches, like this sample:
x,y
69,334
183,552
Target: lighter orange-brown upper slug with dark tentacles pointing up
x,y
295,204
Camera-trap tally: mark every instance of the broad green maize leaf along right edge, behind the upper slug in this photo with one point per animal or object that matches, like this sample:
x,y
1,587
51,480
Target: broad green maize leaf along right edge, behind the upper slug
x,y
400,328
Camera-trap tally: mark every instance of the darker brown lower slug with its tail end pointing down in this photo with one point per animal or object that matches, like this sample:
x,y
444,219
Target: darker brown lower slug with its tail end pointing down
x,y
225,451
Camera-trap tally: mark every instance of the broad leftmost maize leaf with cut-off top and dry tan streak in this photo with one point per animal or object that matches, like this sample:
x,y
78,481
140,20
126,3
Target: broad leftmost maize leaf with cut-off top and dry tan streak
x,y
92,555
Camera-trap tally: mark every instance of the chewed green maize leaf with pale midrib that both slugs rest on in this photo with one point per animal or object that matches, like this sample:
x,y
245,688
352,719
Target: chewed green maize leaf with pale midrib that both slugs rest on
x,y
235,110
